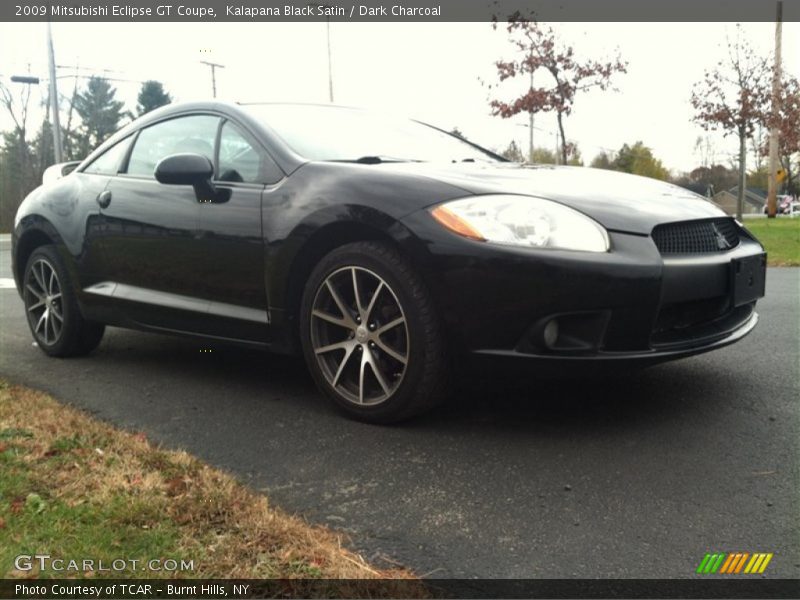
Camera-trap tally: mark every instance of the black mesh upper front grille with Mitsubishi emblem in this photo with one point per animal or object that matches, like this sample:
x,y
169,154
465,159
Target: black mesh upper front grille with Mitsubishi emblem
x,y
696,237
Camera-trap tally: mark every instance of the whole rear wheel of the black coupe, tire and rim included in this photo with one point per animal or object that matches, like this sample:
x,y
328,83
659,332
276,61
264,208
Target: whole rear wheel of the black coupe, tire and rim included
x,y
55,319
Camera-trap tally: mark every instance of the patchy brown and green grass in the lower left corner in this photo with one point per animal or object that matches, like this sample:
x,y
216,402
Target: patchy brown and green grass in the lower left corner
x,y
75,488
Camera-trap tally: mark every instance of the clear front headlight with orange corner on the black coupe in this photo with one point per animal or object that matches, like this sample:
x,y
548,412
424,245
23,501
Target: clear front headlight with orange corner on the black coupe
x,y
522,221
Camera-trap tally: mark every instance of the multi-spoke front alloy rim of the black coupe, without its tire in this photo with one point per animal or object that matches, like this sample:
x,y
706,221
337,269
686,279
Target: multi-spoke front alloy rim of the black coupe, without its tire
x,y
359,335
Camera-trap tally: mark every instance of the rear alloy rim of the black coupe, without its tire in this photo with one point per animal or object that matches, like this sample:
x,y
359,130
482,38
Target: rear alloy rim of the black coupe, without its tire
x,y
43,302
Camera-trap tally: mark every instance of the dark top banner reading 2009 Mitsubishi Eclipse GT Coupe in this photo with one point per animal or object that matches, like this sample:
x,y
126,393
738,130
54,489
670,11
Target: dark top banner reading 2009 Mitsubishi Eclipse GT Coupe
x,y
395,10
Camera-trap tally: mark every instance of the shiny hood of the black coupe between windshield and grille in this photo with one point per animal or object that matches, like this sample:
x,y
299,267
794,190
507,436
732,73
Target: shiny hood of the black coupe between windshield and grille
x,y
618,201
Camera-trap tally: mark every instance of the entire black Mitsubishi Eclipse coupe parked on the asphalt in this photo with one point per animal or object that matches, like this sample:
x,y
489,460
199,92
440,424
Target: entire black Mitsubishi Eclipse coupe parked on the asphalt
x,y
382,249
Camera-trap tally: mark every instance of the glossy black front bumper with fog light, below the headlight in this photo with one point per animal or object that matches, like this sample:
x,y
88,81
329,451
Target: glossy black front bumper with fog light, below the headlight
x,y
628,305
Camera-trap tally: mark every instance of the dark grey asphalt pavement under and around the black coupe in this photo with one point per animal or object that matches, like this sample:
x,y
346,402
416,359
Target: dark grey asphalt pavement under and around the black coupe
x,y
635,476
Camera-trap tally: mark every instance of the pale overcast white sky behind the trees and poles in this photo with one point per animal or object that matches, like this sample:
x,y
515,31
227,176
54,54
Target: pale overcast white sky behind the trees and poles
x,y
435,72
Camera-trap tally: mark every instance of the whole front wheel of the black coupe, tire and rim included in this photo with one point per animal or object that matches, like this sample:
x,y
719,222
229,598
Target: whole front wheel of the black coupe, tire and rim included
x,y
414,386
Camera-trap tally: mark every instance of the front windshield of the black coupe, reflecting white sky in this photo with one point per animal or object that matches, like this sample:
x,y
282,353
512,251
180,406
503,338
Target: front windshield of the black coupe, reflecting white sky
x,y
346,134
